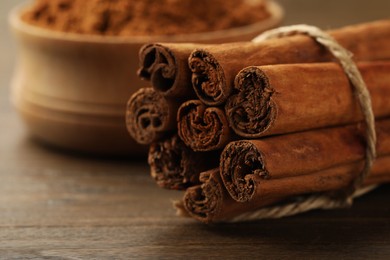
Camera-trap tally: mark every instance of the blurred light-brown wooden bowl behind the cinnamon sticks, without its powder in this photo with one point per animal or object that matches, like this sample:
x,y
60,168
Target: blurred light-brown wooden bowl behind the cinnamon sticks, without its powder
x,y
71,90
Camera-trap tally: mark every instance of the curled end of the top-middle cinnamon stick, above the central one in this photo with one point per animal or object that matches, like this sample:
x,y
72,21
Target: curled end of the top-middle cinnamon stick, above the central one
x,y
208,78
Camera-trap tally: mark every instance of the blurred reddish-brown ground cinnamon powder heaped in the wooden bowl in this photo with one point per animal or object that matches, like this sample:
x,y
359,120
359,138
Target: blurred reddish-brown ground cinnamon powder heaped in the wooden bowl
x,y
144,17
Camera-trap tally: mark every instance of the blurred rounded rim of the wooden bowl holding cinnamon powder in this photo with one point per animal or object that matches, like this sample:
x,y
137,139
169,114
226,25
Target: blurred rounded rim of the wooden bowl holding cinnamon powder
x,y
275,9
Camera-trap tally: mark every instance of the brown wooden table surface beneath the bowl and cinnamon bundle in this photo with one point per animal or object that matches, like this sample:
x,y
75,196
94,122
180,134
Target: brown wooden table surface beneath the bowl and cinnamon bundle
x,y
56,205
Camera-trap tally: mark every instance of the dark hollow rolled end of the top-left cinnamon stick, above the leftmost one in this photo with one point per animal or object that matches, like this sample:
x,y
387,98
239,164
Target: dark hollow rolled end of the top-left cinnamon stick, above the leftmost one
x,y
158,64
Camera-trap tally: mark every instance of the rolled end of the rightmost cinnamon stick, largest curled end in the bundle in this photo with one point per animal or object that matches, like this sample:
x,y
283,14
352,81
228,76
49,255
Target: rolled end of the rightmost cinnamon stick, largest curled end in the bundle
x,y
251,111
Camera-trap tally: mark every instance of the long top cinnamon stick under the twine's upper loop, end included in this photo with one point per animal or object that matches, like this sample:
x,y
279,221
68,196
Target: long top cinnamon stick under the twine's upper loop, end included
x,y
215,67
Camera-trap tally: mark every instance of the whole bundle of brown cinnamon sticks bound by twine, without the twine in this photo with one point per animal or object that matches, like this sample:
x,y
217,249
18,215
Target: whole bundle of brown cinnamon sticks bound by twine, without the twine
x,y
241,126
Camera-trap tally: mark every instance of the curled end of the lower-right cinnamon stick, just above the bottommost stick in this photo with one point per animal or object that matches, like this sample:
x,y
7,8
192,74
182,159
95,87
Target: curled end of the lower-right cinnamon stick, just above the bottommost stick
x,y
241,162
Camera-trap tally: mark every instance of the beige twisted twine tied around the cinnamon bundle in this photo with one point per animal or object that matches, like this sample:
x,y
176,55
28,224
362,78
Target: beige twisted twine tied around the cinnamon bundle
x,y
323,201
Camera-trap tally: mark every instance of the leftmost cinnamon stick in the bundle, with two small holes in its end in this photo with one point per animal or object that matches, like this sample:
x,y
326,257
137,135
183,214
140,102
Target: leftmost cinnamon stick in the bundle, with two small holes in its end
x,y
149,116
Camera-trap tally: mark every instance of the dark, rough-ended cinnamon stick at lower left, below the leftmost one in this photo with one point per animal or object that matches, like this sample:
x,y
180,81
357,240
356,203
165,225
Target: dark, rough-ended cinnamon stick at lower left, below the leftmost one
x,y
175,166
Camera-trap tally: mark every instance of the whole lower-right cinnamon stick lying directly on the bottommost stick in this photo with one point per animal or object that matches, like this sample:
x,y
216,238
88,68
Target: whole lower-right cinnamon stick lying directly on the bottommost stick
x,y
246,164
